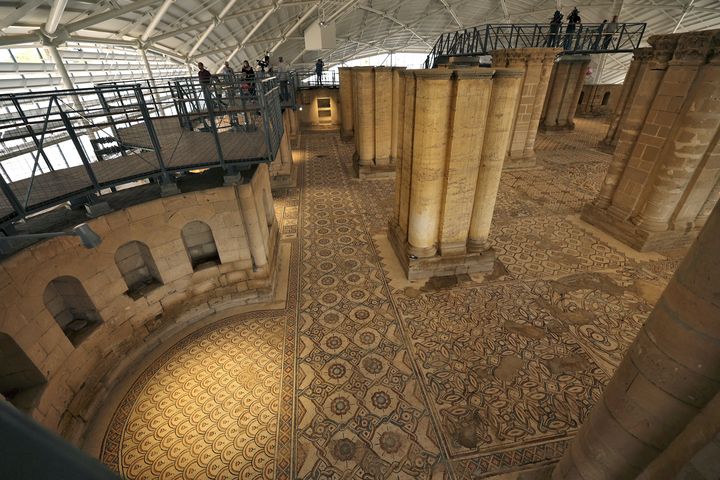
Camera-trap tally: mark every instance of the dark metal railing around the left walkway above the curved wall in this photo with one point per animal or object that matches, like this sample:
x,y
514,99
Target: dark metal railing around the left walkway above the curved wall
x,y
72,144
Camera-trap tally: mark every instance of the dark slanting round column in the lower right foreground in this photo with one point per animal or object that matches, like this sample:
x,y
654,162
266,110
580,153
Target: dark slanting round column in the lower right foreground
x,y
668,376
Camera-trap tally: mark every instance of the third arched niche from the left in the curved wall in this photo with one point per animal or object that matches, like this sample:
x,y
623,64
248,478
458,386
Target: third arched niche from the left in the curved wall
x,y
138,269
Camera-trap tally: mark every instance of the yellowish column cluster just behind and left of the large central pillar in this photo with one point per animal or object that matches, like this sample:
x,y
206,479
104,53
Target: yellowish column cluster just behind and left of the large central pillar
x,y
369,118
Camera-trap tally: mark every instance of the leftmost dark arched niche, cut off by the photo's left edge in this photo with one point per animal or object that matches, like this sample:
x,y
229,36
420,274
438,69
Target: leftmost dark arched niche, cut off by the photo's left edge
x,y
20,379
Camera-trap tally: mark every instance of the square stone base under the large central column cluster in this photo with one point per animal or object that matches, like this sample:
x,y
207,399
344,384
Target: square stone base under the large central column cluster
x,y
439,265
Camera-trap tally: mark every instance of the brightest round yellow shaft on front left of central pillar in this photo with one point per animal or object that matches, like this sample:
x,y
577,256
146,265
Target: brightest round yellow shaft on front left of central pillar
x,y
432,99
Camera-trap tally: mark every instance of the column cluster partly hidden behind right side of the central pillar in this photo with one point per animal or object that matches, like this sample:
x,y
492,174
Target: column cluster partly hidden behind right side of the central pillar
x,y
536,65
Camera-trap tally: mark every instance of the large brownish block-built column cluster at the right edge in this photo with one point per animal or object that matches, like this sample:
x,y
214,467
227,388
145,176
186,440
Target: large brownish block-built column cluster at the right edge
x,y
664,177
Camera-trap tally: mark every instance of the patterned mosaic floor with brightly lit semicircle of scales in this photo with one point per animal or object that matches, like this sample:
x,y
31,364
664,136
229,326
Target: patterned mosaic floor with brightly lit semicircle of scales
x,y
366,375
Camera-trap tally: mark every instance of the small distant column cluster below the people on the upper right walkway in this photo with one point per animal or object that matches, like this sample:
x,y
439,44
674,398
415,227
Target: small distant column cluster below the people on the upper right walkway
x,y
566,82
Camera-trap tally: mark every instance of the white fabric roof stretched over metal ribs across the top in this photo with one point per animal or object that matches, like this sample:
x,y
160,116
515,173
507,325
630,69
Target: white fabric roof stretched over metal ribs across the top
x,y
364,27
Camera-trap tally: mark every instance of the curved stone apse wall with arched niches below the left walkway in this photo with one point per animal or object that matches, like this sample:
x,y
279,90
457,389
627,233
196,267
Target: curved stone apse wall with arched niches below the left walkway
x,y
78,373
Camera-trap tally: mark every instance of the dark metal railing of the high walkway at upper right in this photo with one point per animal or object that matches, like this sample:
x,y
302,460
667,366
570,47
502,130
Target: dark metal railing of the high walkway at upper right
x,y
585,38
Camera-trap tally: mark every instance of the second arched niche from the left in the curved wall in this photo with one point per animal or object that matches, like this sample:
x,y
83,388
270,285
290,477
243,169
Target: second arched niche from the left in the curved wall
x,y
68,302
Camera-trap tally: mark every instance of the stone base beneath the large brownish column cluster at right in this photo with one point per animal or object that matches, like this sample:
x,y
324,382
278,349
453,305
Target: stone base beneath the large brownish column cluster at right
x,y
634,235
